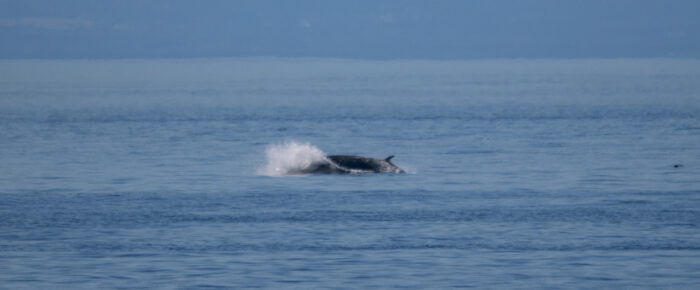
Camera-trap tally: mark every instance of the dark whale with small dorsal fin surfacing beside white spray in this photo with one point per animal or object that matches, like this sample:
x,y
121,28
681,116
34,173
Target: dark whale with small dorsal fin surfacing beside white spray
x,y
349,164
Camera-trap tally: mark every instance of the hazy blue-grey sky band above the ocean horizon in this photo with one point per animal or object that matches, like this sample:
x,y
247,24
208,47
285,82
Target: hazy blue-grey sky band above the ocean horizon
x,y
350,29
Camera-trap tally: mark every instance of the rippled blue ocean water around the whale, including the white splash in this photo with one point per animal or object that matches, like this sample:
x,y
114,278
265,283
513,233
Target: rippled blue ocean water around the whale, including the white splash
x,y
521,174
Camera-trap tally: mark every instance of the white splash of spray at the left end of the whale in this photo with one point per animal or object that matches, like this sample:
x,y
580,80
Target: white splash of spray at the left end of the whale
x,y
291,158
